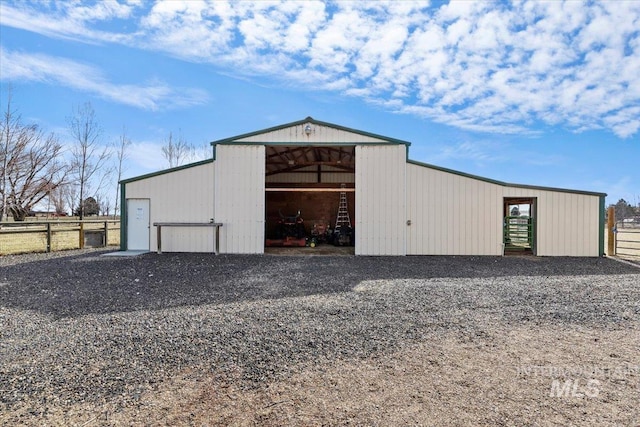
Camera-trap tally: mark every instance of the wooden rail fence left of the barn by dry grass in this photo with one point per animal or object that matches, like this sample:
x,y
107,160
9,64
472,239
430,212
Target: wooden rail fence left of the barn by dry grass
x,y
47,236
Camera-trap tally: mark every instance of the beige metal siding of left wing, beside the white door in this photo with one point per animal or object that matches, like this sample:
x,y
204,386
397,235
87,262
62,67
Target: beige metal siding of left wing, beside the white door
x,y
182,196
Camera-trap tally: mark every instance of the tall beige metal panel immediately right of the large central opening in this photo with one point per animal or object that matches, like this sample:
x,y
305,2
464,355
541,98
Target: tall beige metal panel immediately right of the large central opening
x,y
380,200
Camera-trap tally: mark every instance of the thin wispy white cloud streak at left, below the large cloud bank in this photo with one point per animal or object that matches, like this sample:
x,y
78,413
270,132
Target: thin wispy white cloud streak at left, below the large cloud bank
x,y
72,74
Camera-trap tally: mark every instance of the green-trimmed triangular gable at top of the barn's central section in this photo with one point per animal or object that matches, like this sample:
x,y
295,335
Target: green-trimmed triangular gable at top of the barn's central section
x,y
309,131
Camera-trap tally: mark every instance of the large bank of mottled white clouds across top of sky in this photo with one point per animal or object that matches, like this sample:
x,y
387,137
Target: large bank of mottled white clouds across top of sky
x,y
488,66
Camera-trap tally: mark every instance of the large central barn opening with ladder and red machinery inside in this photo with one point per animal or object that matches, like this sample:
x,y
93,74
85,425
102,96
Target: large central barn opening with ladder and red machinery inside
x,y
310,199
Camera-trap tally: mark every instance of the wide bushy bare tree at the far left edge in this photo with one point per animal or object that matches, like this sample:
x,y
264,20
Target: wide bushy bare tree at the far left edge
x,y
30,166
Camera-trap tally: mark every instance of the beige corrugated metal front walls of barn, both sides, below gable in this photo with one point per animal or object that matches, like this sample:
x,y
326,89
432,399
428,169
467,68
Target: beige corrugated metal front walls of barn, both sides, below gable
x,y
450,214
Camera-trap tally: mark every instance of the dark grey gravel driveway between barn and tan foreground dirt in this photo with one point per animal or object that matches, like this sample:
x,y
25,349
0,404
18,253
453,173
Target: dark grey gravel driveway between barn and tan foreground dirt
x,y
84,331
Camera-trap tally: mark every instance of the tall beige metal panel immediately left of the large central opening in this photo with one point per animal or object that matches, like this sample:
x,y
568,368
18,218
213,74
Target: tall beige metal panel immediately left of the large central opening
x,y
239,197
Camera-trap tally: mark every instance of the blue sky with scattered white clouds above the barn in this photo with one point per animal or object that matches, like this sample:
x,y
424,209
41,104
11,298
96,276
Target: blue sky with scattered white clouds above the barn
x,y
531,92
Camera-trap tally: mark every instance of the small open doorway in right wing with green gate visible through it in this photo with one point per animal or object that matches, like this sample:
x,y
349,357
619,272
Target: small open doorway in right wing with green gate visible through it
x,y
519,227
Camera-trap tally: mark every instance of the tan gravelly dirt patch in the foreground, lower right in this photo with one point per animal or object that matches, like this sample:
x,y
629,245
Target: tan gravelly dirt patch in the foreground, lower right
x,y
502,379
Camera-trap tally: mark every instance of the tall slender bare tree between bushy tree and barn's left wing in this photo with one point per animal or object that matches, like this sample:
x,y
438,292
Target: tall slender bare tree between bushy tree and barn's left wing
x,y
89,157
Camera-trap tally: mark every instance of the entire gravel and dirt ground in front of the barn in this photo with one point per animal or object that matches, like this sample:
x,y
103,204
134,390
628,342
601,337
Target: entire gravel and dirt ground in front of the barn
x,y
554,348
